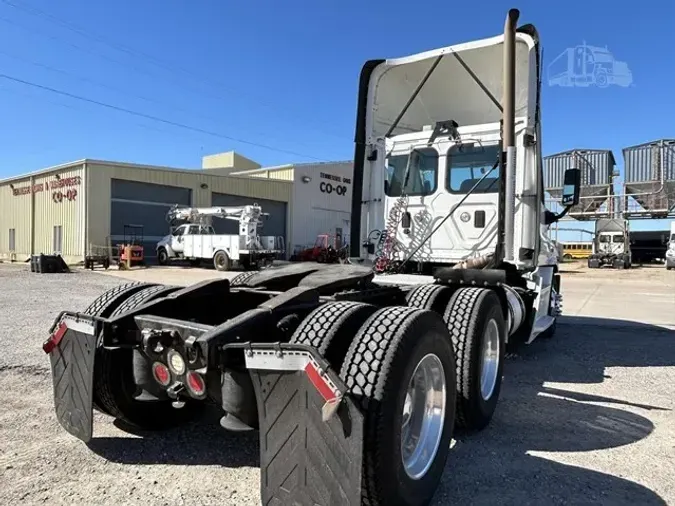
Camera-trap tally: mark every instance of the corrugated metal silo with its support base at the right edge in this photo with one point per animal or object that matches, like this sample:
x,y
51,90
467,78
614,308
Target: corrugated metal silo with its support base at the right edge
x,y
649,178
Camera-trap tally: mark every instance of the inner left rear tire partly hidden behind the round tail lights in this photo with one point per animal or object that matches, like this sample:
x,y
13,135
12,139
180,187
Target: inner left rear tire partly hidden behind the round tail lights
x,y
114,378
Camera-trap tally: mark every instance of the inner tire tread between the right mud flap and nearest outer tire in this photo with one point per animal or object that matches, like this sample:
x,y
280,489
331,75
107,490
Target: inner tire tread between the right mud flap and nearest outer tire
x,y
331,327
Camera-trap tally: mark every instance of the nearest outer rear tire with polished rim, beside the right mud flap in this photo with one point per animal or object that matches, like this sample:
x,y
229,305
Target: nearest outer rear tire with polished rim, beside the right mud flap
x,y
377,371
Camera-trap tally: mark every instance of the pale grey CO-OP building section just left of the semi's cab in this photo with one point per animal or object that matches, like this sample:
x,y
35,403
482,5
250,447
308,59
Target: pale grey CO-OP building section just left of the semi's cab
x,y
322,194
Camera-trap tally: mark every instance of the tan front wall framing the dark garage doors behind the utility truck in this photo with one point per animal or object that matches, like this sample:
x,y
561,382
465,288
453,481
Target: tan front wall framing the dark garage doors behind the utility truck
x,y
200,185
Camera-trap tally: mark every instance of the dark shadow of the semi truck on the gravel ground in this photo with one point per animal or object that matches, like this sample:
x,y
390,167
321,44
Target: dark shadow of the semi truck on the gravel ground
x,y
494,466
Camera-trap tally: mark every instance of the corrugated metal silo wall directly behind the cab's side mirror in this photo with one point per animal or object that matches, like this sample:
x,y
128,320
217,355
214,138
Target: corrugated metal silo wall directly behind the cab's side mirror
x,y
596,167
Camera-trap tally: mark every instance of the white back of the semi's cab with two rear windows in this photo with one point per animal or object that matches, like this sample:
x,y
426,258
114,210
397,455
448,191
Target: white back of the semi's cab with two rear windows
x,y
424,180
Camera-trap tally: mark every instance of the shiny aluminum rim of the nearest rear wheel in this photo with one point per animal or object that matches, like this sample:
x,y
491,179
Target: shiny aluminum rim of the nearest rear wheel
x,y
423,416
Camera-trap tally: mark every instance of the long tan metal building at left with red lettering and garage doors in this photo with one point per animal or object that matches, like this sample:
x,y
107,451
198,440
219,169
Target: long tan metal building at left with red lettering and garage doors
x,y
76,207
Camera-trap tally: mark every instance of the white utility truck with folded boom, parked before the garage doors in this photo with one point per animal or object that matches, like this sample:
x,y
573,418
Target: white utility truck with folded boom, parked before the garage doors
x,y
197,241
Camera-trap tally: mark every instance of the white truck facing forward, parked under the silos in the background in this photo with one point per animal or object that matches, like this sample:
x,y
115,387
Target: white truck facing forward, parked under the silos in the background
x,y
611,244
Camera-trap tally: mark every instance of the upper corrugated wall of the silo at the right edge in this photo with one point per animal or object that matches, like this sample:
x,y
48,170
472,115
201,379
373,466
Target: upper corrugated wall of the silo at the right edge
x,y
650,162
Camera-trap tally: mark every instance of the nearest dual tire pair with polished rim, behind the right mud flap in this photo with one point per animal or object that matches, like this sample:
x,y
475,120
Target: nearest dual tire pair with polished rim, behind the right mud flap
x,y
398,364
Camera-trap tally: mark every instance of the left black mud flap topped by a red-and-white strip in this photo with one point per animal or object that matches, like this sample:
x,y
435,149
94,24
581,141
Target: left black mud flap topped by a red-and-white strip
x,y
71,348
